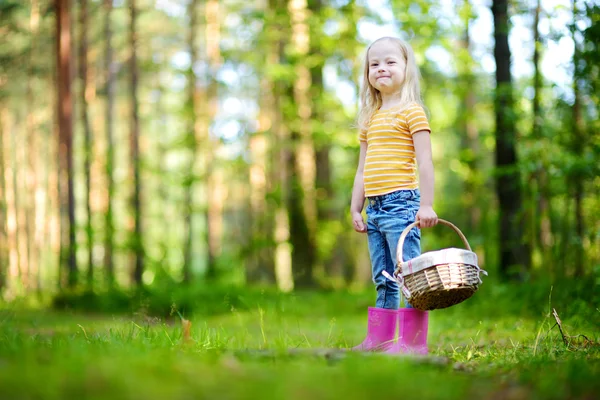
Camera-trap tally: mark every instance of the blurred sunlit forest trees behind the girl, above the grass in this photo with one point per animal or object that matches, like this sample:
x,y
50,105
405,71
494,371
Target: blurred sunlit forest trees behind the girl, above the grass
x,y
154,142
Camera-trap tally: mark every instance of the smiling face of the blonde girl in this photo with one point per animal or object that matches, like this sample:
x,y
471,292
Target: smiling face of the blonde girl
x,y
387,67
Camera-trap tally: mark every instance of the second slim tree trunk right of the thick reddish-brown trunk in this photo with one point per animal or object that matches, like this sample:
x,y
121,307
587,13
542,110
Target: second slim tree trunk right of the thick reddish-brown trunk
x,y
109,229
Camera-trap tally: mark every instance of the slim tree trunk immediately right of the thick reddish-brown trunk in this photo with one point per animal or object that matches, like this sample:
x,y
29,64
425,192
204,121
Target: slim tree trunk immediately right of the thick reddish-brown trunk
x,y
83,75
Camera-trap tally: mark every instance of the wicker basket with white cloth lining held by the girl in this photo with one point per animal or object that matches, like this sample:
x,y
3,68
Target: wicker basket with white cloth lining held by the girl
x,y
438,279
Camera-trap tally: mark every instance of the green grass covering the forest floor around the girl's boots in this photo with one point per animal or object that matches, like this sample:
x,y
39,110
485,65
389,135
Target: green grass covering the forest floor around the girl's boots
x,y
502,343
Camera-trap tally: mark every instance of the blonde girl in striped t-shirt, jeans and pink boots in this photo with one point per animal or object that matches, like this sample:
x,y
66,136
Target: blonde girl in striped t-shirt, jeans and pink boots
x,y
393,132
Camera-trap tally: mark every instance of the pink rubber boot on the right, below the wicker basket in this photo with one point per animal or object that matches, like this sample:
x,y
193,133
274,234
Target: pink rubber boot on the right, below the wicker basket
x,y
412,332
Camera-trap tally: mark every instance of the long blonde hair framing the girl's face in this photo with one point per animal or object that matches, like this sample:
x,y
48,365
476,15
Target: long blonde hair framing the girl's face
x,y
410,92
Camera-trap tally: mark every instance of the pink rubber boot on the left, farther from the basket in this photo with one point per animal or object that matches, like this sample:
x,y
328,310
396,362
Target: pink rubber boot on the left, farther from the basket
x,y
381,329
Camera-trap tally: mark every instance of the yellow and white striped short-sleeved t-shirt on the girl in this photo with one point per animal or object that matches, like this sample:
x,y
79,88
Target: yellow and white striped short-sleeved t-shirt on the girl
x,y
390,163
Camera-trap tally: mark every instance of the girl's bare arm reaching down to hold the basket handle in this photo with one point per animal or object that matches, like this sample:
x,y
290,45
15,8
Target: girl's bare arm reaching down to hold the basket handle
x,y
426,215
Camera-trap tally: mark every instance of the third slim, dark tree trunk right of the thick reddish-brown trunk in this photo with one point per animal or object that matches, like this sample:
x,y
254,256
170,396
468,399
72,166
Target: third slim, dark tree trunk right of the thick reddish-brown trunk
x,y
136,205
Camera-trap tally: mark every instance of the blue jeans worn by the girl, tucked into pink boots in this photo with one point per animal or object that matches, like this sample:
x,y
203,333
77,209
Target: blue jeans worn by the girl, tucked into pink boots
x,y
387,216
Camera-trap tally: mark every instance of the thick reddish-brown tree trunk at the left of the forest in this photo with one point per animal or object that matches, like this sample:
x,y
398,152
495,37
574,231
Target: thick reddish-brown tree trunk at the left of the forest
x,y
65,125
